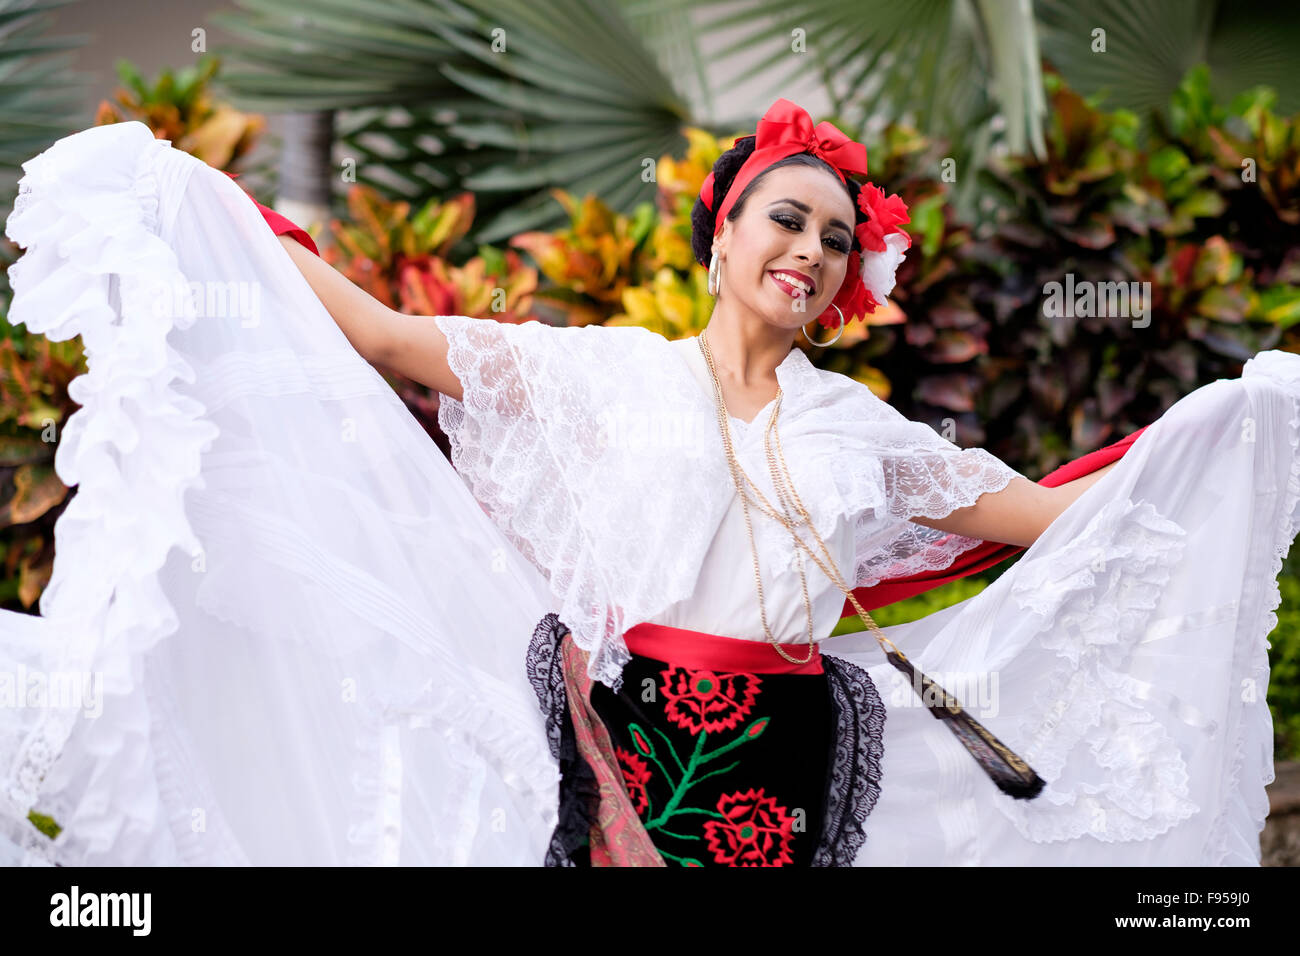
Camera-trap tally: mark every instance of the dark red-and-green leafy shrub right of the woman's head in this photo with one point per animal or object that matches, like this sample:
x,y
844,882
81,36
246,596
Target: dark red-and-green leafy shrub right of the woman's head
x,y
1208,214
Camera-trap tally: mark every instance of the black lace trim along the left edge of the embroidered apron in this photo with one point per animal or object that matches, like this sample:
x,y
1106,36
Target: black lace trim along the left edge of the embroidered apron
x,y
579,791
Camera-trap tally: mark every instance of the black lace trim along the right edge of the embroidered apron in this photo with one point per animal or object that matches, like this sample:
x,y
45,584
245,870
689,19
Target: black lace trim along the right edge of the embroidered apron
x,y
853,786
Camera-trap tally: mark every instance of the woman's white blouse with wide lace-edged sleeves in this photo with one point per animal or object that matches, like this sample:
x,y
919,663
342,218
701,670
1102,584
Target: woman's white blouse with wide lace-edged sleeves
x,y
597,452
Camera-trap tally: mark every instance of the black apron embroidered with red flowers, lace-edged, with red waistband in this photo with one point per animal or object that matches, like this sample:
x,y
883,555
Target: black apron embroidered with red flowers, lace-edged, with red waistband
x,y
727,754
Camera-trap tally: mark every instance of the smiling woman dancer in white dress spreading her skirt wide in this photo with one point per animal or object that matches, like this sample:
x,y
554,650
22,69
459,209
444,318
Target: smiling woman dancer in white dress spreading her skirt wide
x,y
314,638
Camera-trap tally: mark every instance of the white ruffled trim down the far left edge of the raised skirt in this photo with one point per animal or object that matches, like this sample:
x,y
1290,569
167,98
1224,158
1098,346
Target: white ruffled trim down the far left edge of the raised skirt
x,y
97,244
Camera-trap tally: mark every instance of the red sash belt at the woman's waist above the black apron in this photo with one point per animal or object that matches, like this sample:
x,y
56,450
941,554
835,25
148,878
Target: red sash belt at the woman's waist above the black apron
x,y
716,652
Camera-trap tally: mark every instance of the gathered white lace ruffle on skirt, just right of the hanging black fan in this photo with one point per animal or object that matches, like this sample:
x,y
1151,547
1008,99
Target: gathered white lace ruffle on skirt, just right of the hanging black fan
x,y
1093,602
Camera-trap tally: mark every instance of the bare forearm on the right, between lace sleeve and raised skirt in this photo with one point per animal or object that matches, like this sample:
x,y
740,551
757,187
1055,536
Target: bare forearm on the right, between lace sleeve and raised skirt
x,y
1016,516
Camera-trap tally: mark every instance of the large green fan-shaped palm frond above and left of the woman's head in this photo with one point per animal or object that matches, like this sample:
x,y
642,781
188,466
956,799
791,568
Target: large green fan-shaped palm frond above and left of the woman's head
x,y
510,100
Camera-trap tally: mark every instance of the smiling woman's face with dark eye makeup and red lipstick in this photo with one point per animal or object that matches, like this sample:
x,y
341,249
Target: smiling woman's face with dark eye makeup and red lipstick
x,y
798,222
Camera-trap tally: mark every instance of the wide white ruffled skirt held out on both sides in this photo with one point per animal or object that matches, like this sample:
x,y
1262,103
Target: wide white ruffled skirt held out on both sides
x,y
280,629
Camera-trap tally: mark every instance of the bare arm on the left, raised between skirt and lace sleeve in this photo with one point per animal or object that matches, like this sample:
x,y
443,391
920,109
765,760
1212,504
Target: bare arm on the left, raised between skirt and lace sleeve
x,y
410,345
